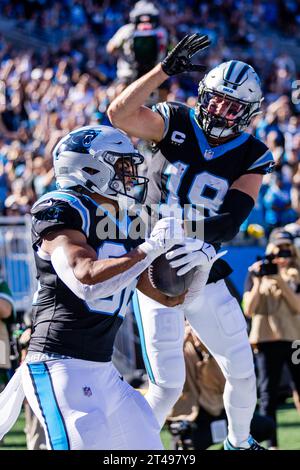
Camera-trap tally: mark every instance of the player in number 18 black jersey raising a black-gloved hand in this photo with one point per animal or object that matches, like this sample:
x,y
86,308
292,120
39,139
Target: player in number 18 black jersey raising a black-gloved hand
x,y
203,157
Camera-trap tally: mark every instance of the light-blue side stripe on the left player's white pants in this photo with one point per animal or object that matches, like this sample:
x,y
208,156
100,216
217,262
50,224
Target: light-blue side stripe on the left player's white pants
x,y
45,395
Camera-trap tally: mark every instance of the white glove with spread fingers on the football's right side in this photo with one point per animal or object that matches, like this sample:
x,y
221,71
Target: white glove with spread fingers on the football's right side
x,y
193,253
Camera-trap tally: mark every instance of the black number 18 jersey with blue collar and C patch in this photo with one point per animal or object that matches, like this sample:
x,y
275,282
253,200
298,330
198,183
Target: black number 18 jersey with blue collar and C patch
x,y
185,169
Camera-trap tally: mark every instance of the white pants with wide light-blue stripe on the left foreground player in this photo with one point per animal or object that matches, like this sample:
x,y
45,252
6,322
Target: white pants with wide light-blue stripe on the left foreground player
x,y
86,405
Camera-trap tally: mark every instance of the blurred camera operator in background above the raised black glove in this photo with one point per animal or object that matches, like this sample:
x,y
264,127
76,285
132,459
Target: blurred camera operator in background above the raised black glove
x,y
139,44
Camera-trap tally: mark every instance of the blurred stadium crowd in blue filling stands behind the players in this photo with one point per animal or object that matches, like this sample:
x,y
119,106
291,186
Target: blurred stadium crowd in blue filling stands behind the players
x,y
45,93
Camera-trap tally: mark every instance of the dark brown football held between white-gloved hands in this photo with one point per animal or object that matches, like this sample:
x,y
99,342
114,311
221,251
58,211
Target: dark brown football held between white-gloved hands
x,y
164,278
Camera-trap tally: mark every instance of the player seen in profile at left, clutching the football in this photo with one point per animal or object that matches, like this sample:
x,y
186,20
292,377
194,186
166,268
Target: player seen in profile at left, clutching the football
x,y
86,281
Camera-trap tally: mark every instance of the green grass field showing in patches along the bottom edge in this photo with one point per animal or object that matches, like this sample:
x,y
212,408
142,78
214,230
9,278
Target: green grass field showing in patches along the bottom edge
x,y
288,431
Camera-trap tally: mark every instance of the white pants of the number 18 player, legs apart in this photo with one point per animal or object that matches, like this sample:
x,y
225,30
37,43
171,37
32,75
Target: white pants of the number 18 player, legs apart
x,y
220,324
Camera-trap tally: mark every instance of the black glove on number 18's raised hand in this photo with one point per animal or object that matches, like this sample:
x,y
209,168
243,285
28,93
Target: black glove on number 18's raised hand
x,y
179,59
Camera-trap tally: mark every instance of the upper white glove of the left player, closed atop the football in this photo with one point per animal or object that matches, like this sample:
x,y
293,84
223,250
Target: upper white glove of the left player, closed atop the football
x,y
166,233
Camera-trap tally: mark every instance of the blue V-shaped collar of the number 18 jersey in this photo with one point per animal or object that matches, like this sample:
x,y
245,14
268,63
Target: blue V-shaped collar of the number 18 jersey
x,y
208,152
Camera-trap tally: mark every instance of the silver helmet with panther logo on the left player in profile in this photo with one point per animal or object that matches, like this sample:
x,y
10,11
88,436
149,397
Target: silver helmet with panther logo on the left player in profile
x,y
100,159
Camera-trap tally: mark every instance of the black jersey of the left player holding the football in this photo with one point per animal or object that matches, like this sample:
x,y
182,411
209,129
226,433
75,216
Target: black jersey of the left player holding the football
x,y
63,323
